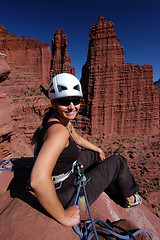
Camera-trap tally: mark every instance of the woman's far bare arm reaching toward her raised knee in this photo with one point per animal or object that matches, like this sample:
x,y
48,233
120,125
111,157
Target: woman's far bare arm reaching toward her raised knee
x,y
86,144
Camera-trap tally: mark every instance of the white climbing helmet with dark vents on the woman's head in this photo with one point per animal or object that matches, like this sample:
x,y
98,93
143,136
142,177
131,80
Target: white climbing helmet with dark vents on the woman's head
x,y
64,85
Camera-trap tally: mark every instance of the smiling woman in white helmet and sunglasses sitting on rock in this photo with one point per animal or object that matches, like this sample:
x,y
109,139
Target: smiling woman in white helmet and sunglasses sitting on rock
x,y
57,150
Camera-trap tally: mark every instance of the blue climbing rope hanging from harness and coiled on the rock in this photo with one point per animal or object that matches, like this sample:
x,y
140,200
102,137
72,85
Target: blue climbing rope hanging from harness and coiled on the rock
x,y
88,229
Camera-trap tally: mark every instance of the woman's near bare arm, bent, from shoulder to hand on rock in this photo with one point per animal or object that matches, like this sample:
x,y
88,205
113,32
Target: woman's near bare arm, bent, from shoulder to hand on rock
x,y
41,181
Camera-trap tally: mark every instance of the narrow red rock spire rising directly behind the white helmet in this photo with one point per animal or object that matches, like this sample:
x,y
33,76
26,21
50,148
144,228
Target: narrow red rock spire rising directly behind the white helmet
x,y
61,61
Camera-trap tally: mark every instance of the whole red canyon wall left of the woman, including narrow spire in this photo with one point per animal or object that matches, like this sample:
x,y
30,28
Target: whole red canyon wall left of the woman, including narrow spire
x,y
30,65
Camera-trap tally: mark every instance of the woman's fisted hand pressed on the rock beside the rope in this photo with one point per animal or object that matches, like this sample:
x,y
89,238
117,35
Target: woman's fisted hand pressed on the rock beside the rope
x,y
72,216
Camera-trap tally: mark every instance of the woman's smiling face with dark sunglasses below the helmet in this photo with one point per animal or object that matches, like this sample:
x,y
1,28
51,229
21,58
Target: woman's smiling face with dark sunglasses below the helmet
x,y
67,108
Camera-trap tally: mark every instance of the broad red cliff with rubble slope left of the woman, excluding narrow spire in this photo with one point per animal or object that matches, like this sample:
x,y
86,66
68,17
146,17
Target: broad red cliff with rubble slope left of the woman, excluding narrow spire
x,y
29,61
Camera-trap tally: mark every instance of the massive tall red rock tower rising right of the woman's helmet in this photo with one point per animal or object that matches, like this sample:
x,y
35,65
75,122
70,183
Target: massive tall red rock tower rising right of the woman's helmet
x,y
120,97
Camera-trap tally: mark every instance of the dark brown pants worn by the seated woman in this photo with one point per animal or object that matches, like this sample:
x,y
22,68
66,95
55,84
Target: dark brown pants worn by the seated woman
x,y
112,170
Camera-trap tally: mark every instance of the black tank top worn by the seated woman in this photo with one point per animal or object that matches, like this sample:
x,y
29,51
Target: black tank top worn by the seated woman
x,y
68,155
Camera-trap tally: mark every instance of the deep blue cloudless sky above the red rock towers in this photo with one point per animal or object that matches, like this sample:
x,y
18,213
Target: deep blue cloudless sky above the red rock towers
x,y
137,24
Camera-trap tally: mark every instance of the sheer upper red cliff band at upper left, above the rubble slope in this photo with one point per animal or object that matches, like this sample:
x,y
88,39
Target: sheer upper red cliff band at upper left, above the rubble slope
x,y
30,54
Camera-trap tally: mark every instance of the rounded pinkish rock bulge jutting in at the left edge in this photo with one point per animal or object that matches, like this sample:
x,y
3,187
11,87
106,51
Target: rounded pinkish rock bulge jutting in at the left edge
x,y
4,67
